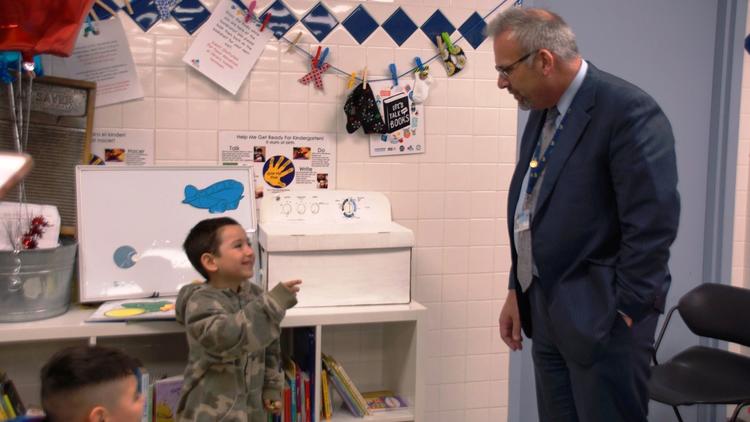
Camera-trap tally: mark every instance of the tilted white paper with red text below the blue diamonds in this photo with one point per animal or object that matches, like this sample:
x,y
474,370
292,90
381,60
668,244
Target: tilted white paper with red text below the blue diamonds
x,y
227,47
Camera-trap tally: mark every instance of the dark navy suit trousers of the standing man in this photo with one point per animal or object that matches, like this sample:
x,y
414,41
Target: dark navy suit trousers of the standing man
x,y
612,389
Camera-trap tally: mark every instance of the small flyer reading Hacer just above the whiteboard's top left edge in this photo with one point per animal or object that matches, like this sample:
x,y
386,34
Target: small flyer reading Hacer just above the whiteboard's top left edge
x,y
122,147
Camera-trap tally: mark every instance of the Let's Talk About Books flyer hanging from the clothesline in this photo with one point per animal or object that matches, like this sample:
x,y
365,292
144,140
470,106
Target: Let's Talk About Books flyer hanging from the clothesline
x,y
404,120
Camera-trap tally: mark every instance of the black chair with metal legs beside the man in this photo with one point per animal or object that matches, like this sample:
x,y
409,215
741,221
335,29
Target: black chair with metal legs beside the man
x,y
705,375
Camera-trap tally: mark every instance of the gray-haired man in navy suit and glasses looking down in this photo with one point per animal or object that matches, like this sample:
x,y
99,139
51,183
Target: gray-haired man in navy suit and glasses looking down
x,y
593,208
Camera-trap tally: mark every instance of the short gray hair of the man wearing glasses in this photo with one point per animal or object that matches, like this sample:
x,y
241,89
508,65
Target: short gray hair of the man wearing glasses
x,y
534,29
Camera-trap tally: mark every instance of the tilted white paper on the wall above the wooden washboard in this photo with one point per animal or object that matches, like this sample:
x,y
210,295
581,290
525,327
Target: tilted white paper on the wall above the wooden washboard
x,y
103,58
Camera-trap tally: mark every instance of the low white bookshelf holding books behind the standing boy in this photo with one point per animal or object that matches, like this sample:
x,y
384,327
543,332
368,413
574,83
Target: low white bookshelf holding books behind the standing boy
x,y
161,344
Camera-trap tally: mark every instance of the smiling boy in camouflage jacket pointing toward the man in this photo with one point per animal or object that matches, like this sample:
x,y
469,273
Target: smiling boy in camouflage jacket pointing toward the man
x,y
232,327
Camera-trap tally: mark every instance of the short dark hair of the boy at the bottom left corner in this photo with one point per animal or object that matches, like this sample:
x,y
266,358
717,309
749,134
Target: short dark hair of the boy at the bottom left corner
x,y
75,368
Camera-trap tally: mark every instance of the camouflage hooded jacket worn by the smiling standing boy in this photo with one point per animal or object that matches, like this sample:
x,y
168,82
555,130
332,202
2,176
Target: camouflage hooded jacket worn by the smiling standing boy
x,y
234,351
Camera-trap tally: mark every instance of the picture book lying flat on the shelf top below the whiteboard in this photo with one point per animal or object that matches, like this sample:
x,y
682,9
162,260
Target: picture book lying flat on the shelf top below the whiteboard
x,y
135,309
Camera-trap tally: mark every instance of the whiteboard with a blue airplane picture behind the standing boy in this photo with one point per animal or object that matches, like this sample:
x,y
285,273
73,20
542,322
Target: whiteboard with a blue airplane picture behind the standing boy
x,y
132,222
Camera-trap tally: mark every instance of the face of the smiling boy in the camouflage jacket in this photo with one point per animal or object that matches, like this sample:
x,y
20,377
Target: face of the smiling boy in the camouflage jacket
x,y
234,260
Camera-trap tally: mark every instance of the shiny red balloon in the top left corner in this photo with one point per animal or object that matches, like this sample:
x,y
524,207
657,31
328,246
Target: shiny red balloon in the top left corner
x,y
41,26
